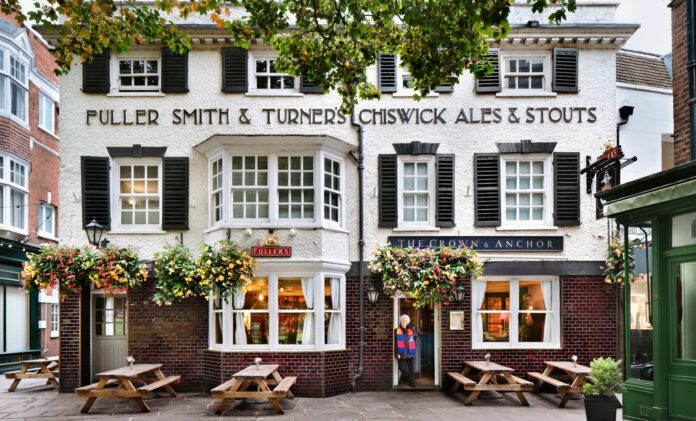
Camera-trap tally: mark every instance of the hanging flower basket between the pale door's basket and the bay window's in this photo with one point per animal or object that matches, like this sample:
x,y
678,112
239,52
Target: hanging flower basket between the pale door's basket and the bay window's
x,y
177,275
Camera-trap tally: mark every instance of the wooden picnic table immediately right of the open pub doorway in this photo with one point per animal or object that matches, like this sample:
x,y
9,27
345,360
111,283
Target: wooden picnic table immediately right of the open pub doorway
x,y
490,372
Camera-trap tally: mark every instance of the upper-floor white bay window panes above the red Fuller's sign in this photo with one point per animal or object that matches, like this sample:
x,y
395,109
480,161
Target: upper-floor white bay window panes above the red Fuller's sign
x,y
276,189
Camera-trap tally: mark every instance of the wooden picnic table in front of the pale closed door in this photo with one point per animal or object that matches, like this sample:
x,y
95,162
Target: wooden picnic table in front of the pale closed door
x,y
118,383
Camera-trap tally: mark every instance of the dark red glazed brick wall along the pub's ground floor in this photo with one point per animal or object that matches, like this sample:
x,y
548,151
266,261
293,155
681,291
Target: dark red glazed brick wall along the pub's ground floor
x,y
177,336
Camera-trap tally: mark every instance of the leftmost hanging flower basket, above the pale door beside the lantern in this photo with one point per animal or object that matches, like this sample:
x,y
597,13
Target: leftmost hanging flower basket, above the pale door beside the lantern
x,y
114,269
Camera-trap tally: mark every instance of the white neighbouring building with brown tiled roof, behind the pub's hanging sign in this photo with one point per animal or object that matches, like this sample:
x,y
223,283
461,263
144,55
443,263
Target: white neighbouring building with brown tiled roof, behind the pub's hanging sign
x,y
643,82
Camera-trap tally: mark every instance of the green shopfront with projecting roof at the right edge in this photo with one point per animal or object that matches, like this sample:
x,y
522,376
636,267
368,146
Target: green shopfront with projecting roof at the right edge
x,y
658,214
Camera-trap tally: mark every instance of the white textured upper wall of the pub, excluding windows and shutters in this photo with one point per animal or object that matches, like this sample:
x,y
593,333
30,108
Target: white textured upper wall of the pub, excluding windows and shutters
x,y
334,247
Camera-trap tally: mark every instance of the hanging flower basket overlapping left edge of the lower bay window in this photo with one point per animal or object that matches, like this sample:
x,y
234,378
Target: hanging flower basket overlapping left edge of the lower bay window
x,y
223,268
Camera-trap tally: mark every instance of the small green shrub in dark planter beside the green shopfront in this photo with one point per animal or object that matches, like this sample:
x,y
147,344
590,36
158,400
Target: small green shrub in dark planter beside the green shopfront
x,y
600,403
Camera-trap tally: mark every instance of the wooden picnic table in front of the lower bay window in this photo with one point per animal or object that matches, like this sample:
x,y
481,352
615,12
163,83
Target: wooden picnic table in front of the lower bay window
x,y
236,388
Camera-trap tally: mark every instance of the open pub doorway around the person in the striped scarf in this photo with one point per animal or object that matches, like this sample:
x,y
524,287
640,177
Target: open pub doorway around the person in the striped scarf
x,y
426,320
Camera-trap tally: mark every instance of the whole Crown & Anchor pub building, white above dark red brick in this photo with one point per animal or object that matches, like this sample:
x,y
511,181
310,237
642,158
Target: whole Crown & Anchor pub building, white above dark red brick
x,y
218,144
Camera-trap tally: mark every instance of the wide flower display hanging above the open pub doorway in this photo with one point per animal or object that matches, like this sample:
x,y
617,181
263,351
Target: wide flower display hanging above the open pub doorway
x,y
428,275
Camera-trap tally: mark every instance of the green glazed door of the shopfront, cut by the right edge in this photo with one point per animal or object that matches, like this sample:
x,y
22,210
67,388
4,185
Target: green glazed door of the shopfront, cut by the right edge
x,y
682,373
